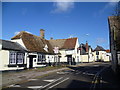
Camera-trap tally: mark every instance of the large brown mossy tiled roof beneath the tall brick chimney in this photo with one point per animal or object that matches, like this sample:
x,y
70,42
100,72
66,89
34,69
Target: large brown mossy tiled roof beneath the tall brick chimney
x,y
34,43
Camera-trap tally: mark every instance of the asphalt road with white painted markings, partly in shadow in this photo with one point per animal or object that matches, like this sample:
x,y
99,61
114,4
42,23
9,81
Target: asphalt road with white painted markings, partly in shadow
x,y
89,76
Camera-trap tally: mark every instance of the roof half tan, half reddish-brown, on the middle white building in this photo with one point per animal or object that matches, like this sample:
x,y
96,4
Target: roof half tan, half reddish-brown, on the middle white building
x,y
64,43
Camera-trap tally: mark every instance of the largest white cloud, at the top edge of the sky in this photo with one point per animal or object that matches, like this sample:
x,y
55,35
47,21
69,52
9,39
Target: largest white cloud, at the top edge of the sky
x,y
63,6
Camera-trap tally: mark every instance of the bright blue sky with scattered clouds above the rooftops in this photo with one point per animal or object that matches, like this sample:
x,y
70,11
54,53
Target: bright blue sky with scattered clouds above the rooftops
x,y
87,21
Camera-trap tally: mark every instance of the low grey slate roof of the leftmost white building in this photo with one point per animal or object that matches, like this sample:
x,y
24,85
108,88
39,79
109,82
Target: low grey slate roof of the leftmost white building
x,y
8,45
